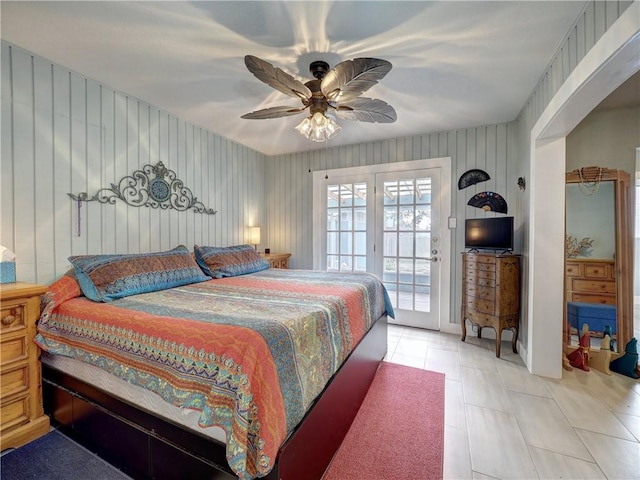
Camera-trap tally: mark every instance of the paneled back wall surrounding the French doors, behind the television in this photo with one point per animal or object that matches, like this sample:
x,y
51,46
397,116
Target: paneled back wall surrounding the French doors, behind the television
x,y
289,183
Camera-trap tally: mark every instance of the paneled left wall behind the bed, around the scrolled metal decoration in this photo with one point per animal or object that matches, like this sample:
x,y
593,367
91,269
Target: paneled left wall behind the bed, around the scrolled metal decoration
x,y
62,132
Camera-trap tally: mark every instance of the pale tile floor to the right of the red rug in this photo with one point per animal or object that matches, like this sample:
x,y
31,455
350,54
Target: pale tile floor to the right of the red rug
x,y
502,422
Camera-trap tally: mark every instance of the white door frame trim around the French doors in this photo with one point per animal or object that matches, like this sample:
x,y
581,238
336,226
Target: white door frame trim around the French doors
x,y
447,223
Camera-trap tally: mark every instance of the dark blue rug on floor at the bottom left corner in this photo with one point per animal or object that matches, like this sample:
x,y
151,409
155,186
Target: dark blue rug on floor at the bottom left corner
x,y
56,457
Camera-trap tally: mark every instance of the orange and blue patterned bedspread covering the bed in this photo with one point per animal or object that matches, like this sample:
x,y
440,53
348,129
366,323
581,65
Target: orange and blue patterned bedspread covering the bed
x,y
251,352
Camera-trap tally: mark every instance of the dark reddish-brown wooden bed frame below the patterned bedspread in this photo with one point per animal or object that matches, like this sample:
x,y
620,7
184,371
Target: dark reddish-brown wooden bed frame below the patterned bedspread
x,y
144,445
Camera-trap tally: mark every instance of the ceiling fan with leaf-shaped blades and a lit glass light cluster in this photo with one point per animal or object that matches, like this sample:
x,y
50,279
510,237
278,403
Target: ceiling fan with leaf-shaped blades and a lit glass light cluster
x,y
336,91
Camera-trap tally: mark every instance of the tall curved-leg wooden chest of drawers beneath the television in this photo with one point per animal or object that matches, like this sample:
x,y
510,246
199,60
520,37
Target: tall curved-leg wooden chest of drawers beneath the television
x,y
491,294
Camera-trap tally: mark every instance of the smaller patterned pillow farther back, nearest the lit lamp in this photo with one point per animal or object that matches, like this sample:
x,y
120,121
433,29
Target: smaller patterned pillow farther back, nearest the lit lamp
x,y
218,262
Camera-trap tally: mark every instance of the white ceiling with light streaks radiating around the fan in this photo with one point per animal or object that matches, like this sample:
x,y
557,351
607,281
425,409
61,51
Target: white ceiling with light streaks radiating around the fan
x,y
455,64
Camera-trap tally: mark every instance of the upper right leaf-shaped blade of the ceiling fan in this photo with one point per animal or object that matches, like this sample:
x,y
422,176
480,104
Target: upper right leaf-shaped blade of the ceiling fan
x,y
351,78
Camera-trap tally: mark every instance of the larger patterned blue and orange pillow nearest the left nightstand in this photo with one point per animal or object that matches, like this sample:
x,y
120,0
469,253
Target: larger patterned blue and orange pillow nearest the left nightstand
x,y
103,278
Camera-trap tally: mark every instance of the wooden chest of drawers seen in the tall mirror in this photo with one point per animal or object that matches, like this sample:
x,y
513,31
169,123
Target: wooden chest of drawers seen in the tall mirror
x,y
590,281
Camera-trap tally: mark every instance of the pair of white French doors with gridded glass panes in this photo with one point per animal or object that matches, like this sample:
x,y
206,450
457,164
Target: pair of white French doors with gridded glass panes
x,y
386,223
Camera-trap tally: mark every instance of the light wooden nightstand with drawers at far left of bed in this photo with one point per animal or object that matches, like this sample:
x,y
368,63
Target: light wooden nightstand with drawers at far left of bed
x,y
22,418
